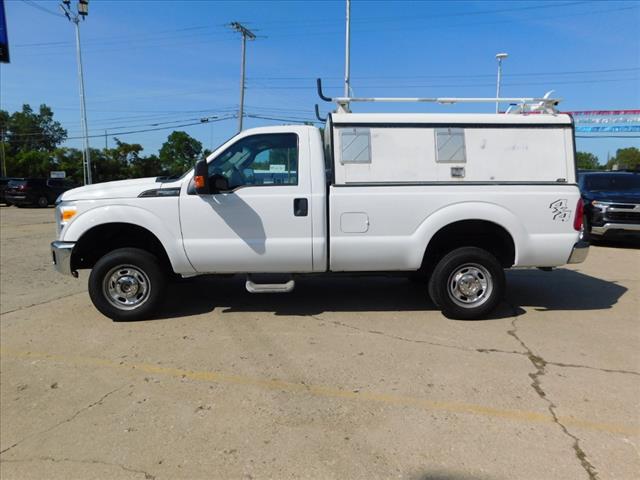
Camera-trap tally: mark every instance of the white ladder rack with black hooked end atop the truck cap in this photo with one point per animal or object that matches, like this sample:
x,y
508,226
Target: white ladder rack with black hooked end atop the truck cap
x,y
543,104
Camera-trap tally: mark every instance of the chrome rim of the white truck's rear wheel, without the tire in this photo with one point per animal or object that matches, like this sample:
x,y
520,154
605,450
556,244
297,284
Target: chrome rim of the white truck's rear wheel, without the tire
x,y
470,285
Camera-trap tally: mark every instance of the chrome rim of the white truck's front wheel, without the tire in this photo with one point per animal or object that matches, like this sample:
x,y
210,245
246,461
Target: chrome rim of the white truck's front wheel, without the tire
x,y
126,287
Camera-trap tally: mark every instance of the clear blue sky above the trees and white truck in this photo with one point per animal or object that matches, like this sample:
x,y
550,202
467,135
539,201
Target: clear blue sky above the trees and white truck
x,y
162,64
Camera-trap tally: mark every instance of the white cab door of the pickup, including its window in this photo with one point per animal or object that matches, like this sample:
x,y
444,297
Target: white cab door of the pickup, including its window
x,y
262,221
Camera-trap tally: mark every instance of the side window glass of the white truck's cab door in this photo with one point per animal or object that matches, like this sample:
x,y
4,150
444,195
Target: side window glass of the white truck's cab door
x,y
265,159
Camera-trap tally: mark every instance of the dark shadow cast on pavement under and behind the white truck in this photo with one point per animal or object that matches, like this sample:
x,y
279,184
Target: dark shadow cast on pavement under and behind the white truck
x,y
561,289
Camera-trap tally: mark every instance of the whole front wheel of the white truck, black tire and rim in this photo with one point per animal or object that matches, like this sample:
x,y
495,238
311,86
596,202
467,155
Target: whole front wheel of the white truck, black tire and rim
x,y
124,272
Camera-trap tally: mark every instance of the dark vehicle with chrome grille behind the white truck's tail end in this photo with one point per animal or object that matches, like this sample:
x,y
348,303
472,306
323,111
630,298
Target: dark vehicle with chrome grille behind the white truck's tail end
x,y
611,204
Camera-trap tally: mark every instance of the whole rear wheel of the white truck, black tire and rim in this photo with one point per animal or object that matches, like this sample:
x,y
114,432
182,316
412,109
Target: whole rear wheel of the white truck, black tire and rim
x,y
467,283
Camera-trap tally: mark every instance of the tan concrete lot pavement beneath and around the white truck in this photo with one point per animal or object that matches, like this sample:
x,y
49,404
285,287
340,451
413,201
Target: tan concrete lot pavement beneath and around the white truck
x,y
342,378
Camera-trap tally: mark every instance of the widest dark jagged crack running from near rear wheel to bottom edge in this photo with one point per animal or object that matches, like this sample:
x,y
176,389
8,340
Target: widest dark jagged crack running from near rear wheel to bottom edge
x,y
540,365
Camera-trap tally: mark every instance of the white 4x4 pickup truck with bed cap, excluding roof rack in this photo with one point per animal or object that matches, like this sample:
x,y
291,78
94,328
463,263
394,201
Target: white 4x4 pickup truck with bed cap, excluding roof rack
x,y
453,198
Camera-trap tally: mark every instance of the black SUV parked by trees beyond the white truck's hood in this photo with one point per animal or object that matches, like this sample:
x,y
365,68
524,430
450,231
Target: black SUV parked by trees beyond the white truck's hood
x,y
40,192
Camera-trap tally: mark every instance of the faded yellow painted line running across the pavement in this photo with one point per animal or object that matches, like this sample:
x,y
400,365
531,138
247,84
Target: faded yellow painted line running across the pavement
x,y
322,391
